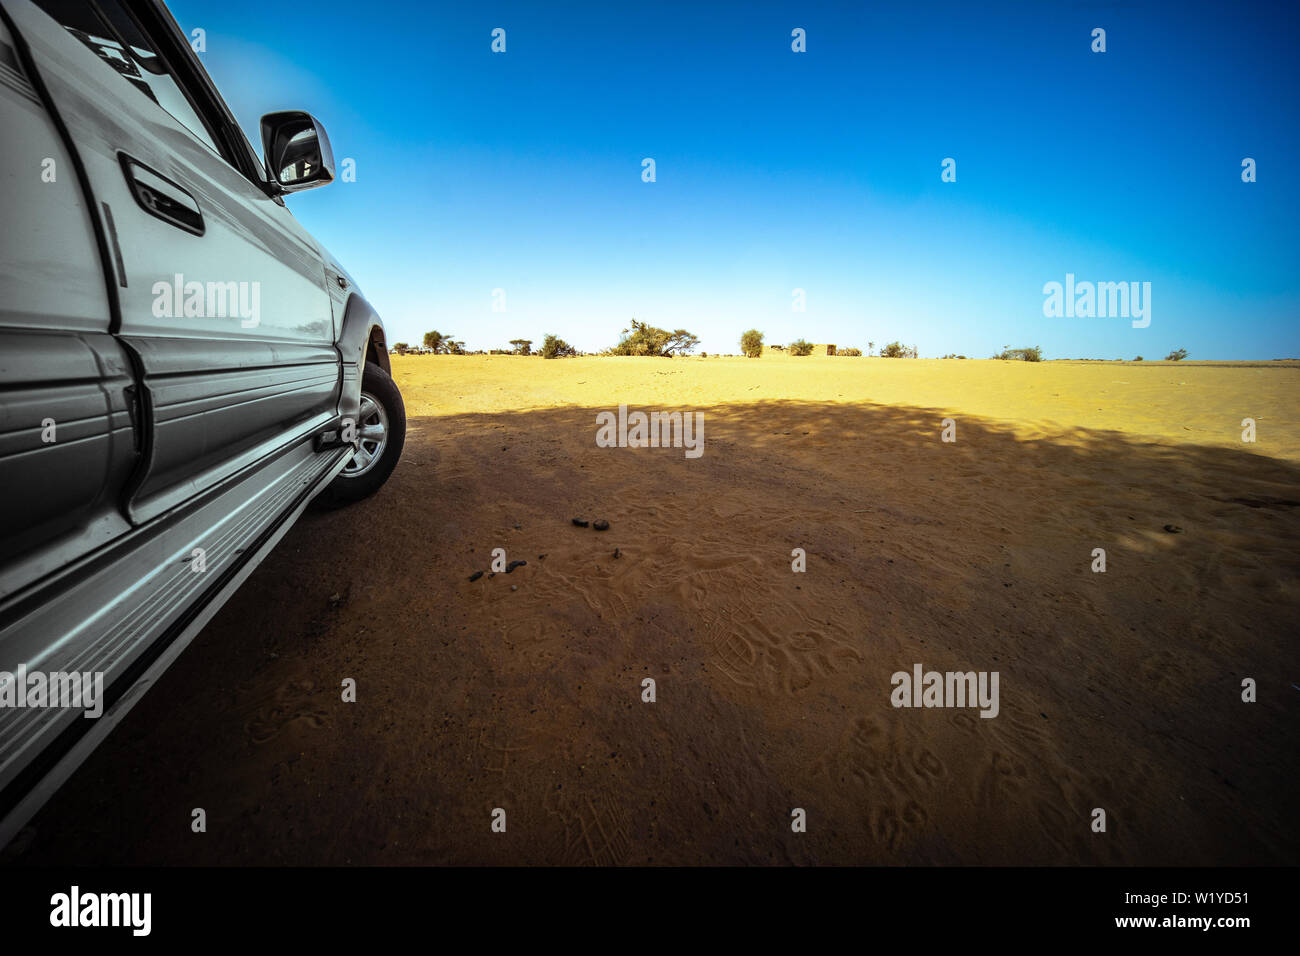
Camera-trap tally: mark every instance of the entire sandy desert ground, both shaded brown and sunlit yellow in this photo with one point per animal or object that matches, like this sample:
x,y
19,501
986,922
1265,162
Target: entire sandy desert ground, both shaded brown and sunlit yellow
x,y
1120,691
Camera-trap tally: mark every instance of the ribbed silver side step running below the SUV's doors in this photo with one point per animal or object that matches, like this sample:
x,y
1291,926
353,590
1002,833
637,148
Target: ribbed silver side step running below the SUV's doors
x,y
132,630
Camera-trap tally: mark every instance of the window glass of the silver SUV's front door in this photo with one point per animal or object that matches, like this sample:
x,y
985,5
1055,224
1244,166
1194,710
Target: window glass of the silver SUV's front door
x,y
119,42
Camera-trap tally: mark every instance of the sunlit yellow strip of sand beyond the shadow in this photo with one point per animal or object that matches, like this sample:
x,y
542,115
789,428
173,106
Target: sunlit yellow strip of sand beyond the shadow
x,y
1182,403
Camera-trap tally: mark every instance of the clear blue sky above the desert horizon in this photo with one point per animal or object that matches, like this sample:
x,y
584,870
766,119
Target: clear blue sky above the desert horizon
x,y
775,171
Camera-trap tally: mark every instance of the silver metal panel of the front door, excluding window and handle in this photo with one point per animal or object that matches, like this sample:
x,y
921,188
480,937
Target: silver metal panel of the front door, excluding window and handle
x,y
209,379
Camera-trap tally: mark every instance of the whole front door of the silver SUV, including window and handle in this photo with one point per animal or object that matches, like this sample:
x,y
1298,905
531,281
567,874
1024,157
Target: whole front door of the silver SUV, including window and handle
x,y
224,299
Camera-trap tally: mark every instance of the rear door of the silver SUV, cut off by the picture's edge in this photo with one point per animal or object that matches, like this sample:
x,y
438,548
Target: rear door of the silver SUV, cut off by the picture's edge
x,y
67,443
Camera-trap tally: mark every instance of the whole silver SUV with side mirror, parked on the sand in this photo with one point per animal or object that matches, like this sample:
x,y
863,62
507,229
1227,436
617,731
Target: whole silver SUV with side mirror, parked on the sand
x,y
183,369
